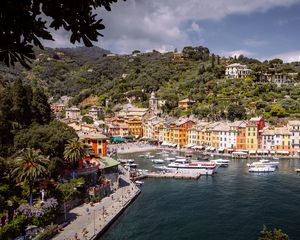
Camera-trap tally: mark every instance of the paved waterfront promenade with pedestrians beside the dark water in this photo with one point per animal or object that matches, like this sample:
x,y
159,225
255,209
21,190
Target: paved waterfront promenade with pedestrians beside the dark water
x,y
92,221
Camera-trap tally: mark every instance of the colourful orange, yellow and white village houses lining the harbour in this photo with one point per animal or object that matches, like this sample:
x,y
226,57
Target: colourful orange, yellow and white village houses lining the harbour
x,y
254,135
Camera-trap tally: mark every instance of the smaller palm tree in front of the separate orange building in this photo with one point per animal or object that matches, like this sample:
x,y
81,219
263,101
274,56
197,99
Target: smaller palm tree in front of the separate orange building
x,y
74,151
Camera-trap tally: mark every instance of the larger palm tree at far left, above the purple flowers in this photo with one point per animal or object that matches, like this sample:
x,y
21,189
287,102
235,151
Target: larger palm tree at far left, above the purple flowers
x,y
29,166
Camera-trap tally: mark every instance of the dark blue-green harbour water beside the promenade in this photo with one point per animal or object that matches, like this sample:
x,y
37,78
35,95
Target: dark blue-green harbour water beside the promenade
x,y
233,204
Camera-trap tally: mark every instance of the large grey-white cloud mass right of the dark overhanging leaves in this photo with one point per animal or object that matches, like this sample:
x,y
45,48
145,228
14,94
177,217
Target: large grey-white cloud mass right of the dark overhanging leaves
x,y
167,24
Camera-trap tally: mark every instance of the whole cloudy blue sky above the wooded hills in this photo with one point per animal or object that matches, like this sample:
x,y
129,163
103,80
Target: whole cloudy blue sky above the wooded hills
x,y
262,29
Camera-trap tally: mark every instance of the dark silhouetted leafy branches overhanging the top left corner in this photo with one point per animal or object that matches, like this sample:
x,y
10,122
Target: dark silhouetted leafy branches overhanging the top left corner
x,y
23,25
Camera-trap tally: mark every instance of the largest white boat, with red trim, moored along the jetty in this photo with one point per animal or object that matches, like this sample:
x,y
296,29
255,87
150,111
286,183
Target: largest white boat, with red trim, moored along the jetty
x,y
185,166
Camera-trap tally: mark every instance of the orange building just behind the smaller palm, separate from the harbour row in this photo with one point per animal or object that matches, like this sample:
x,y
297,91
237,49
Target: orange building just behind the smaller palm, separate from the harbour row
x,y
94,142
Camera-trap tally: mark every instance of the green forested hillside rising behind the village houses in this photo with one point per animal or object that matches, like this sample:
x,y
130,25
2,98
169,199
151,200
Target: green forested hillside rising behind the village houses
x,y
199,75
